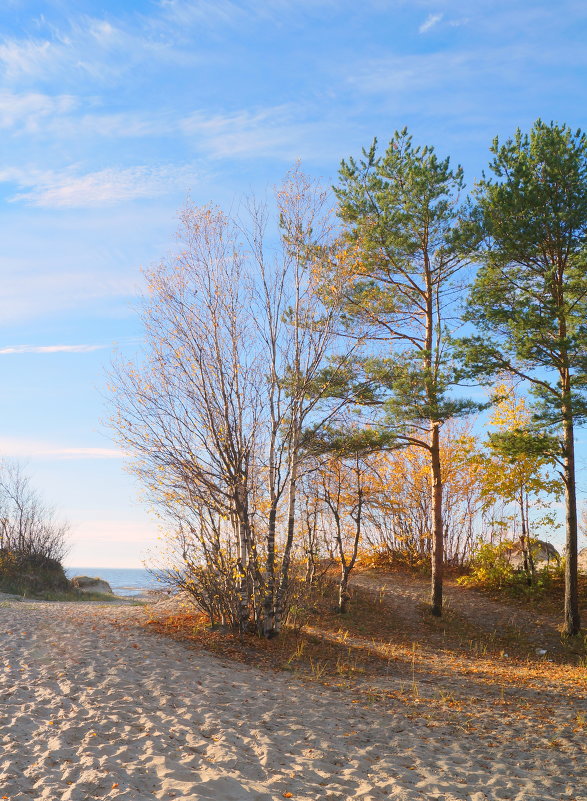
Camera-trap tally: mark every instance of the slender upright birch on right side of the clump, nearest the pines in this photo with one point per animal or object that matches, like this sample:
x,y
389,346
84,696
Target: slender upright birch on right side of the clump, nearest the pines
x,y
296,335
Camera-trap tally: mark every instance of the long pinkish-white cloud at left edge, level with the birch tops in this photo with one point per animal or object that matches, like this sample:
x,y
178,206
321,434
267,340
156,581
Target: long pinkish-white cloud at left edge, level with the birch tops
x,y
106,187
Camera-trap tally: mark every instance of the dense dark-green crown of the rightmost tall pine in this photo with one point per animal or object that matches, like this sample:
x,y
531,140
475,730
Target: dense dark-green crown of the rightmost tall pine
x,y
529,298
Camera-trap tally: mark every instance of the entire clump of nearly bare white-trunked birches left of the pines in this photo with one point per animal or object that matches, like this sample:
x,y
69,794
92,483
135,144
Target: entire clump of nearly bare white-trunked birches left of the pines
x,y
212,413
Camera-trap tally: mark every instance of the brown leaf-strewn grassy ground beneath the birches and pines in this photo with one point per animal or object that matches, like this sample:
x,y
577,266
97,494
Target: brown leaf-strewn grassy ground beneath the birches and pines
x,y
382,653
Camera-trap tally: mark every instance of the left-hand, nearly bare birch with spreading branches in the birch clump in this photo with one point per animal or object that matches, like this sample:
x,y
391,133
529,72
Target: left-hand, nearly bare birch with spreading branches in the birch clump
x,y
189,412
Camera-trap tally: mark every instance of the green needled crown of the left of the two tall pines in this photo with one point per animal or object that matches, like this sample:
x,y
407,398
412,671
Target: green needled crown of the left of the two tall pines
x,y
402,215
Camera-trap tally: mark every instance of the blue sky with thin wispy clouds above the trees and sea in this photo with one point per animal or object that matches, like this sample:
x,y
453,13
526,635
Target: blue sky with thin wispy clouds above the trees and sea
x,y
113,114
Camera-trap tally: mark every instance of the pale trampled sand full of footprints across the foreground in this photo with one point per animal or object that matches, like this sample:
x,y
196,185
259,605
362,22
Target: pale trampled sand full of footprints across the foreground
x,y
94,706
